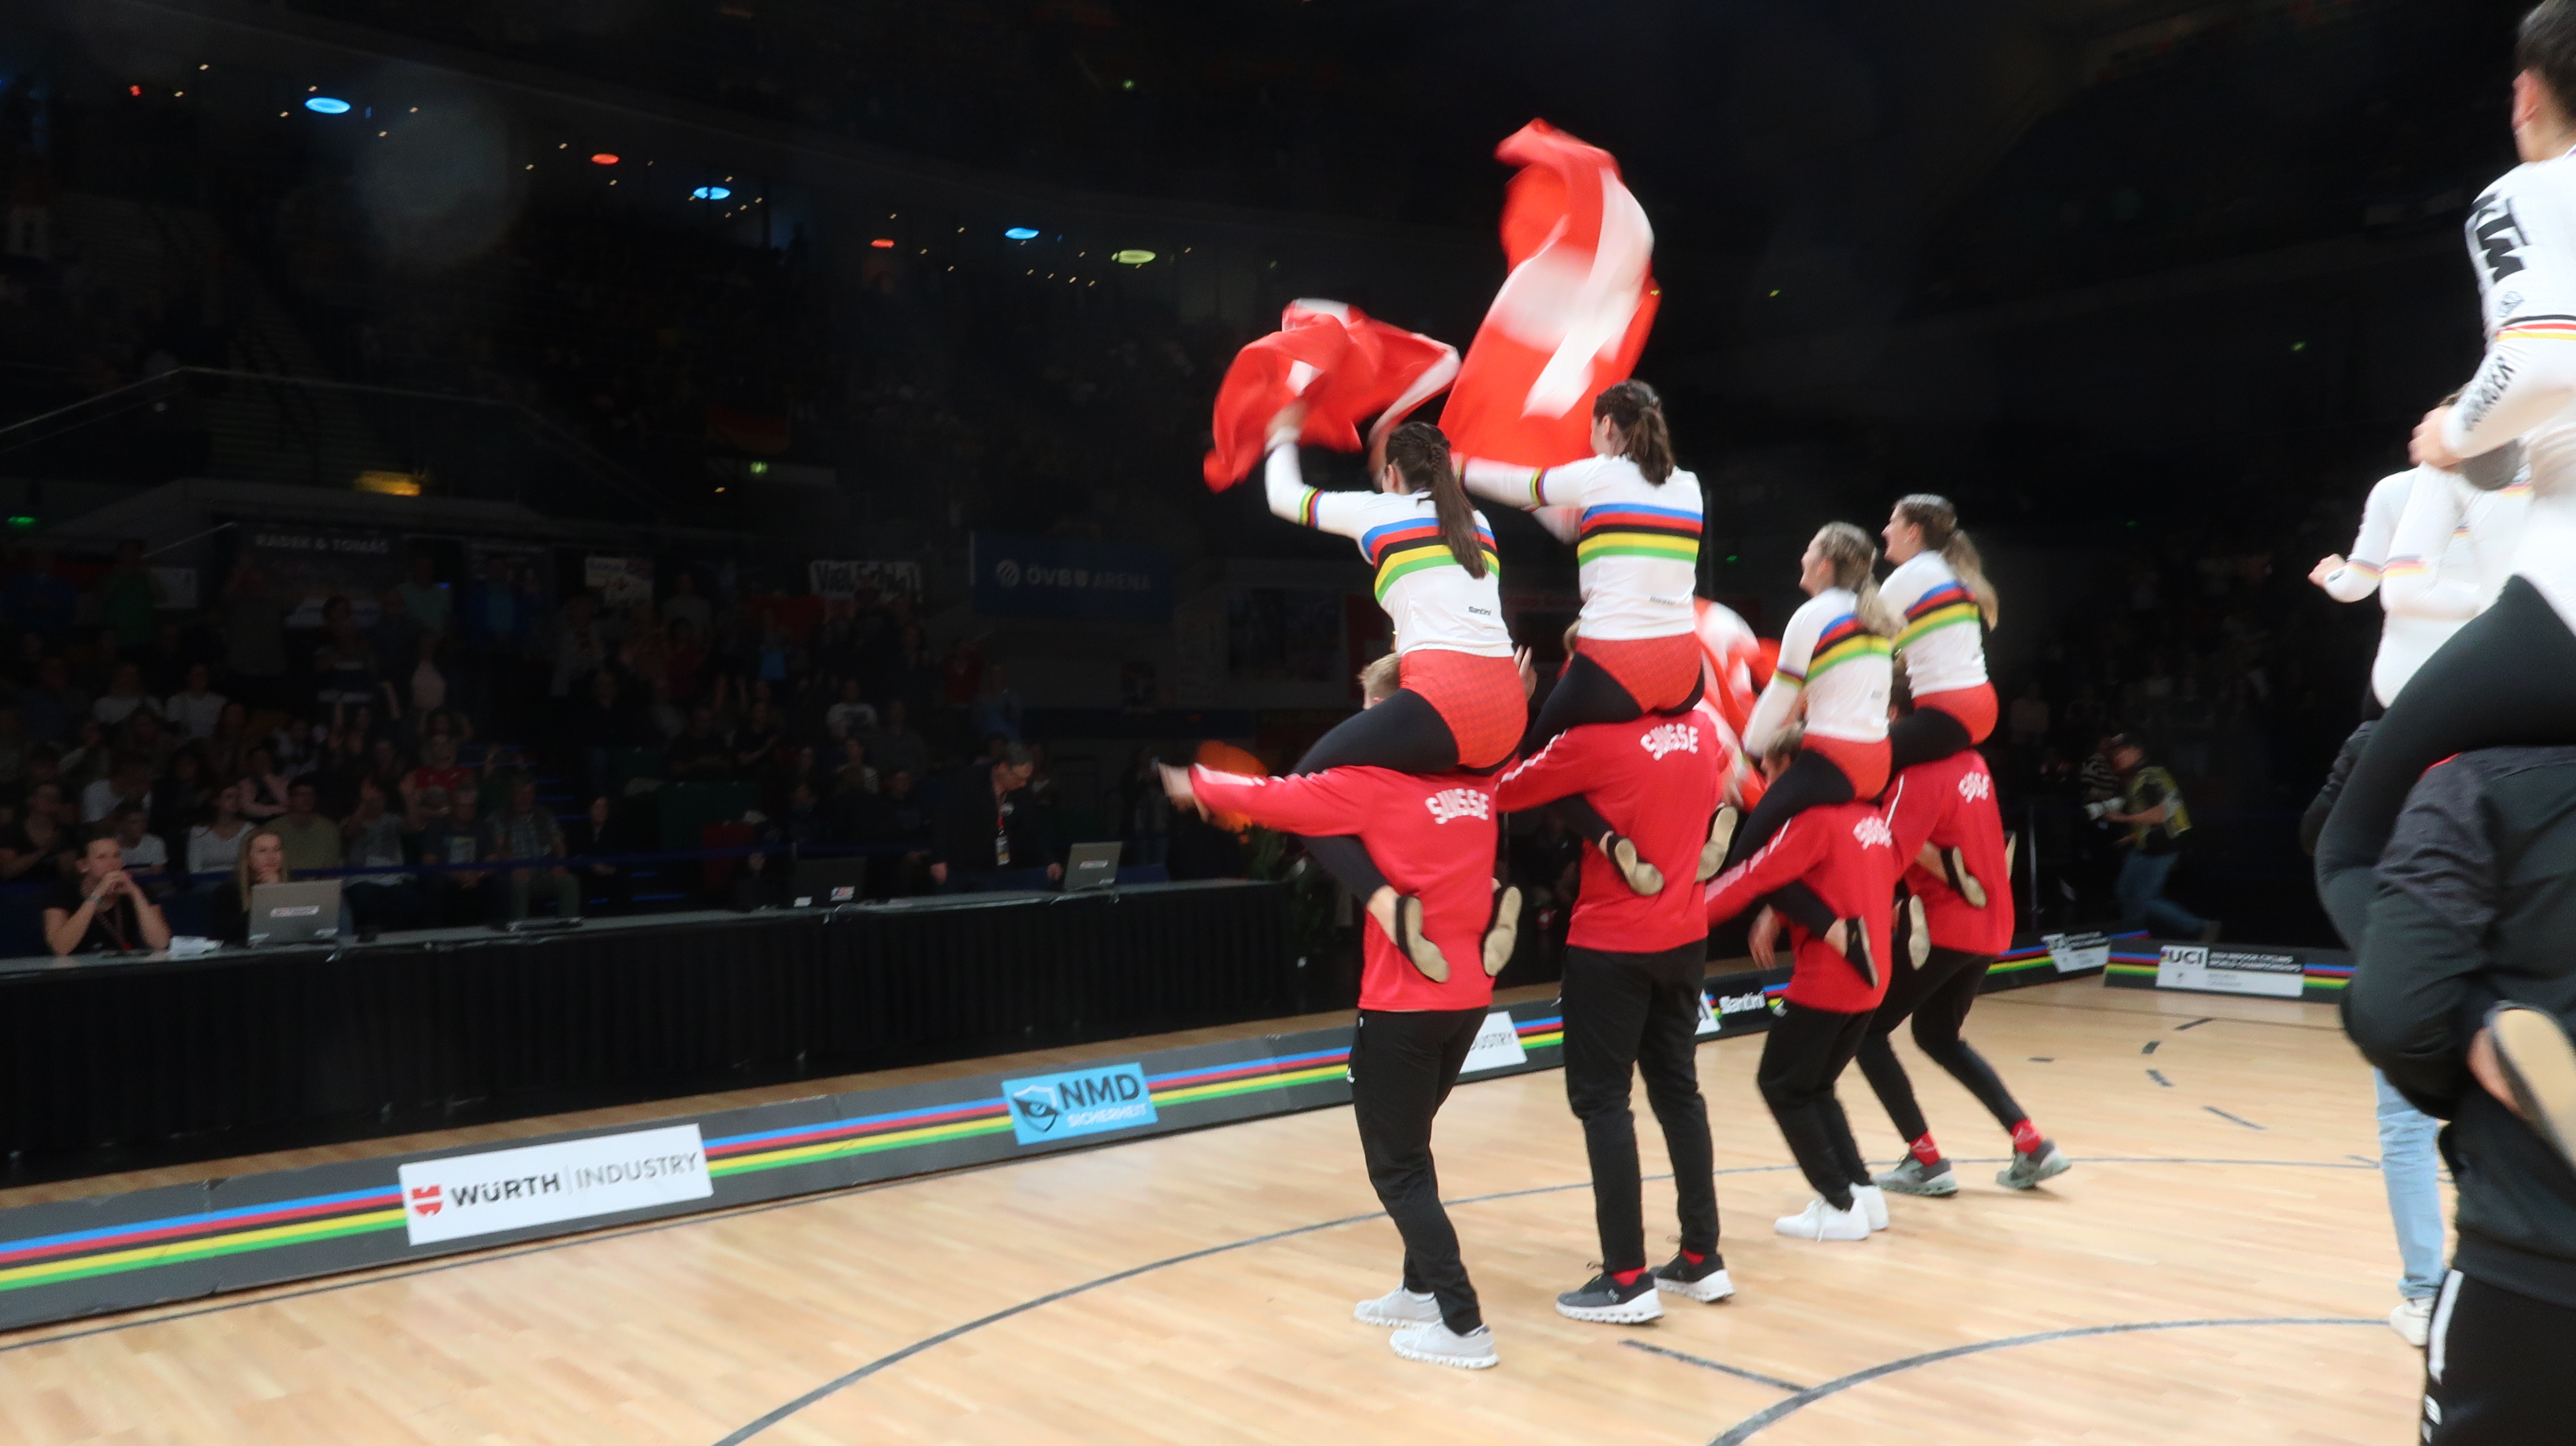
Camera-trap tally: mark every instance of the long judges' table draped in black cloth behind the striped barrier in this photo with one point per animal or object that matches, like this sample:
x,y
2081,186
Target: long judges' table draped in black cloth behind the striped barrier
x,y
130,1061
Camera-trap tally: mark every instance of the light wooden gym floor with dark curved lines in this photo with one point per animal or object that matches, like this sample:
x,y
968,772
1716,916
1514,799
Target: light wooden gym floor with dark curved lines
x,y
2217,1269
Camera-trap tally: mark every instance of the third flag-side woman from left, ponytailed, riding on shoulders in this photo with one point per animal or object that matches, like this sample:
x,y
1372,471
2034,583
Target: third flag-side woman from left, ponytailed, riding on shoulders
x,y
1838,674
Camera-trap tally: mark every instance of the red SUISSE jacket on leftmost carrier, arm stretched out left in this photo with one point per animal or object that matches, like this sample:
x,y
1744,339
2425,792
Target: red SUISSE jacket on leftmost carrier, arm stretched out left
x,y
1434,839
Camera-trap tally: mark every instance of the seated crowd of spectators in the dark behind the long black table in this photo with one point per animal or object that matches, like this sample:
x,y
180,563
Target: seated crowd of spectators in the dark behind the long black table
x,y
475,757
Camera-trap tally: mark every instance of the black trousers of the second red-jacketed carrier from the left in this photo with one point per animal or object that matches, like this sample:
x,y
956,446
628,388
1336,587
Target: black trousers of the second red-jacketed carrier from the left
x,y
1640,1014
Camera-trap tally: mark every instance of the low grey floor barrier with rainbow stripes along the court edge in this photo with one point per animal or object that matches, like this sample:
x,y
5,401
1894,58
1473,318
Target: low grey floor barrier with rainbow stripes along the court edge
x,y
138,1249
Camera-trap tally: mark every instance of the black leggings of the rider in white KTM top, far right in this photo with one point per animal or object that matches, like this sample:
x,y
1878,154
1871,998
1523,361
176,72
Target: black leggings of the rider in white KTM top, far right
x,y
2508,677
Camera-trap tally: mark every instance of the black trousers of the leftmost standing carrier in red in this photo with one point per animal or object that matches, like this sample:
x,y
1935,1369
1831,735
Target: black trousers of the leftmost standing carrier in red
x,y
1403,1066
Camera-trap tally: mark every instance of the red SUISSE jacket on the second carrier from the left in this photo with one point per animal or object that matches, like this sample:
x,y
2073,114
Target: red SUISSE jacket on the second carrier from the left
x,y
1653,780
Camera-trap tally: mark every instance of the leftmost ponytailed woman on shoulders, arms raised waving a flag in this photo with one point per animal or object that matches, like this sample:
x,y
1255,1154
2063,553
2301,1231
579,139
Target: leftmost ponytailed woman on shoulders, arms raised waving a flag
x,y
1459,702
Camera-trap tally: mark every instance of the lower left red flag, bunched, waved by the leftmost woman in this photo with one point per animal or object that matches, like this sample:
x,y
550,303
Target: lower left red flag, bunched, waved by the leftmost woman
x,y
1336,360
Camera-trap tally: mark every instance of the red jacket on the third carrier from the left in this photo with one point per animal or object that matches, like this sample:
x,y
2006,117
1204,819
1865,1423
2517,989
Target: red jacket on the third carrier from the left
x,y
1846,854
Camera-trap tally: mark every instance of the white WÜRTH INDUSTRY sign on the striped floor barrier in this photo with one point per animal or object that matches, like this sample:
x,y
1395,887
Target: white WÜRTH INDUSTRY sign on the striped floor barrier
x,y
547,1184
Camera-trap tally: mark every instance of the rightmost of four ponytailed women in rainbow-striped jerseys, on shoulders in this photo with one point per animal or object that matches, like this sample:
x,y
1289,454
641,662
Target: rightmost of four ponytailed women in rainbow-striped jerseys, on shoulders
x,y
1946,604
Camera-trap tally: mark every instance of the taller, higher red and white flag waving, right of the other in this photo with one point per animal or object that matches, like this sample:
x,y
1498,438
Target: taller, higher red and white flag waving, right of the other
x,y
1573,313
